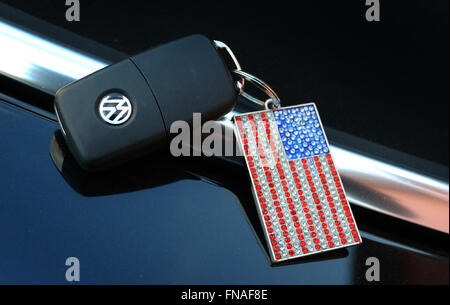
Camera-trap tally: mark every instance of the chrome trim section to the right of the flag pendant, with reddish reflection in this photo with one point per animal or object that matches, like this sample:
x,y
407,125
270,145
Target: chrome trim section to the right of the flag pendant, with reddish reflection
x,y
394,191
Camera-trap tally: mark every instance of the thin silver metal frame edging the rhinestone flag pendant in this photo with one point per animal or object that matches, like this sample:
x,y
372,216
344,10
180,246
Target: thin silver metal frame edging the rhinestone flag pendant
x,y
255,196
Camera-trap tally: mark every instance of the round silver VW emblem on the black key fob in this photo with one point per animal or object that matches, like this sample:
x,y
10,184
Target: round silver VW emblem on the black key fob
x,y
115,108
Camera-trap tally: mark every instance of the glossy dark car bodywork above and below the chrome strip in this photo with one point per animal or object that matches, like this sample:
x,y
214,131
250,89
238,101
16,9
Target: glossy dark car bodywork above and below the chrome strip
x,y
164,220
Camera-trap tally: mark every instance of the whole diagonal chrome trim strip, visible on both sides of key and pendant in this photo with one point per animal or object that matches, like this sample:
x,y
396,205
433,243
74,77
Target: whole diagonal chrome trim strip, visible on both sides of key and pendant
x,y
370,183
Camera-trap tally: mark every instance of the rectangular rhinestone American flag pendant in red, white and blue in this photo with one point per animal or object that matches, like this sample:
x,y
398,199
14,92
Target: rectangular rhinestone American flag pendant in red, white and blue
x,y
298,192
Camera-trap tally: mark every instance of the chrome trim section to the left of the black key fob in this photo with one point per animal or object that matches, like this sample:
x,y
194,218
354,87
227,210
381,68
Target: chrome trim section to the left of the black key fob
x,y
41,63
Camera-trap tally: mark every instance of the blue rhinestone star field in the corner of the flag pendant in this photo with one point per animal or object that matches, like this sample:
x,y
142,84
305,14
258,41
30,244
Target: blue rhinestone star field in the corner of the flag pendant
x,y
301,132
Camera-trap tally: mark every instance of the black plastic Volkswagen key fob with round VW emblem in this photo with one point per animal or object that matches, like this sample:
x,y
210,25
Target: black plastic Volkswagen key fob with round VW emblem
x,y
126,109
